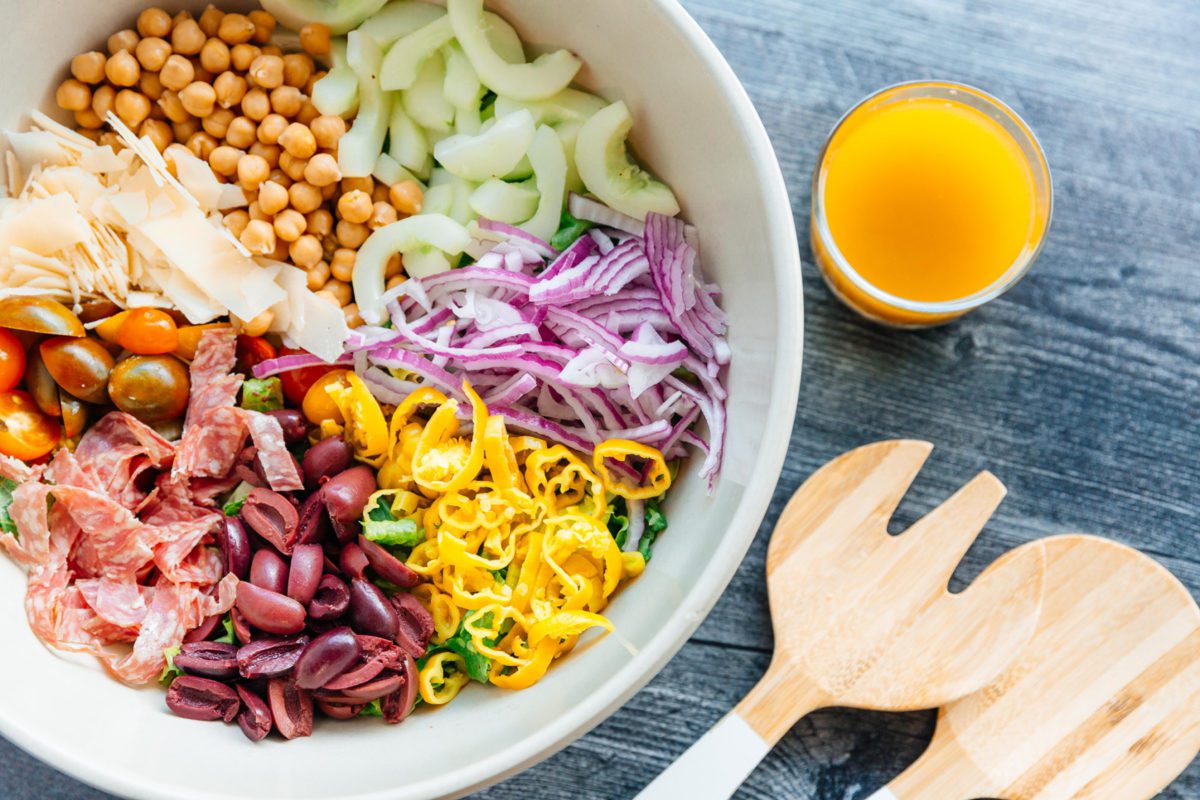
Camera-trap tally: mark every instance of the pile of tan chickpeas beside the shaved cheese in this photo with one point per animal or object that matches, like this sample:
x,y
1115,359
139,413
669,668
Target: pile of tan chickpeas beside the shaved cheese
x,y
219,88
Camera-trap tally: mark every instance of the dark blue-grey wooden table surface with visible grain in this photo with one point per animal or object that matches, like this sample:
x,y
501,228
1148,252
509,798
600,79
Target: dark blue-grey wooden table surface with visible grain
x,y
1081,389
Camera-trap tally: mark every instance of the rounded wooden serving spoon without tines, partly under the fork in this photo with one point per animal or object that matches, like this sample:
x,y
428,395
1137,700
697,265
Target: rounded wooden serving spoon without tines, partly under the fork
x,y
1103,703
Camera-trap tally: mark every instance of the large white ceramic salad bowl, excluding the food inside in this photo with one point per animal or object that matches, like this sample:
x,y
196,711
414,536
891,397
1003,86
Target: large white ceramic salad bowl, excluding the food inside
x,y
697,128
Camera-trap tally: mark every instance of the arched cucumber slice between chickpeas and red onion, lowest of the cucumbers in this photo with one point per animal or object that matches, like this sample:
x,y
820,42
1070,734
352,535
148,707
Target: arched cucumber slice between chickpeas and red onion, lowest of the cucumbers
x,y
419,232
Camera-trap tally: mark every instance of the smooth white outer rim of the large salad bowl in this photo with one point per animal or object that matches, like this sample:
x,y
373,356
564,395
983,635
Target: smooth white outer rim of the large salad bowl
x,y
710,586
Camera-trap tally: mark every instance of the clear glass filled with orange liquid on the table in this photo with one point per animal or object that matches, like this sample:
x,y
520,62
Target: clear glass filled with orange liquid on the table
x,y
929,200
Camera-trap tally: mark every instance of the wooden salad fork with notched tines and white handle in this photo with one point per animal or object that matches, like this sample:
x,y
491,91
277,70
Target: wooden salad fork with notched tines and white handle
x,y
865,619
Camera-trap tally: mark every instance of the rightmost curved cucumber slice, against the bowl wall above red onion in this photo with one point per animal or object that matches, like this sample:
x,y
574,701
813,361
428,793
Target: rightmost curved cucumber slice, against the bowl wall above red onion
x,y
608,173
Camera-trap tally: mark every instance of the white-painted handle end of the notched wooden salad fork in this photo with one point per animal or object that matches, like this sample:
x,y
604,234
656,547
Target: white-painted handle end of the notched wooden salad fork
x,y
715,767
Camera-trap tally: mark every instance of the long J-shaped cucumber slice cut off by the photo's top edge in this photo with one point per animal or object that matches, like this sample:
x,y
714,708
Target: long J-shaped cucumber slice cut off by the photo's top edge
x,y
545,77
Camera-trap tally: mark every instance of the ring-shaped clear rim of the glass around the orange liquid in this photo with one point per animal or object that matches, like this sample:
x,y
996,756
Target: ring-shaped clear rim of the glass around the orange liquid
x,y
1016,272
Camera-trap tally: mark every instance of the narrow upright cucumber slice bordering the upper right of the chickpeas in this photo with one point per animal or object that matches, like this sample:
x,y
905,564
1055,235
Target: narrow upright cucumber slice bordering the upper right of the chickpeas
x,y
361,148
